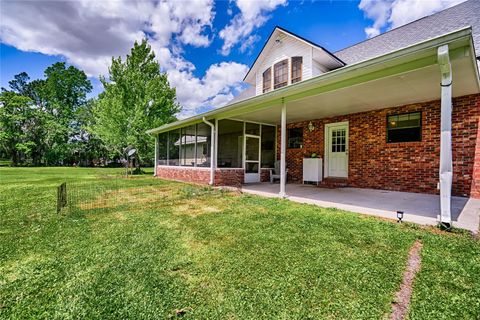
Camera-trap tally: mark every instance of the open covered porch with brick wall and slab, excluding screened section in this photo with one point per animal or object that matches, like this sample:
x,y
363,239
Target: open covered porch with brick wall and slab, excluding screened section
x,y
345,119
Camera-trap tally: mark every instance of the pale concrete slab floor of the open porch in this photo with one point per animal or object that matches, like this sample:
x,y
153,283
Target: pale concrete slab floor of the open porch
x,y
418,208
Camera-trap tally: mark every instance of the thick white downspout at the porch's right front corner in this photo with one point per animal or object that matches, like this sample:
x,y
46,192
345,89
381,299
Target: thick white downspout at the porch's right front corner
x,y
446,168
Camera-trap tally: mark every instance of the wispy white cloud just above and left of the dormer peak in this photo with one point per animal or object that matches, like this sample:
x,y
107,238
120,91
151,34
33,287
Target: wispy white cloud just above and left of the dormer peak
x,y
253,14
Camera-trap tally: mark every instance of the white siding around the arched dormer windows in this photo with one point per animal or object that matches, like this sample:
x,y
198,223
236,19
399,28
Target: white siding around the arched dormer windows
x,y
289,47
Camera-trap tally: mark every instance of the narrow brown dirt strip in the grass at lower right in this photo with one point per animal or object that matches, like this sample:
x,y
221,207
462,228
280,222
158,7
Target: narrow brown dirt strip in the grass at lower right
x,y
402,300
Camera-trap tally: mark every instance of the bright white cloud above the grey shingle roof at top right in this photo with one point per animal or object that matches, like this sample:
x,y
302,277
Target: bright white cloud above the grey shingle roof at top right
x,y
395,13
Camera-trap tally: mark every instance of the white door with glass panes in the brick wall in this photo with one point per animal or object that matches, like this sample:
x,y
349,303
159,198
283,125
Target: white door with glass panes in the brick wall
x,y
336,142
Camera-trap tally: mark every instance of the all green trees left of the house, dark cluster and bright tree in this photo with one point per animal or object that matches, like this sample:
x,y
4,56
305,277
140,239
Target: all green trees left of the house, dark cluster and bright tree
x,y
50,121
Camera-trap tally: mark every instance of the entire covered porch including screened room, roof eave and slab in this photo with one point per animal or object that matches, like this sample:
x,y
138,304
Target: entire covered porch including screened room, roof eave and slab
x,y
344,116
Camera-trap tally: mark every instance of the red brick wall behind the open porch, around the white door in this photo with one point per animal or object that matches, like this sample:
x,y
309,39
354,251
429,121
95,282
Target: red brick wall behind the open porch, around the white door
x,y
411,166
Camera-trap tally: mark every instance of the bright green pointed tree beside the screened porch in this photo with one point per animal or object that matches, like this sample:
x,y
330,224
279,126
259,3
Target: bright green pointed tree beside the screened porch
x,y
137,96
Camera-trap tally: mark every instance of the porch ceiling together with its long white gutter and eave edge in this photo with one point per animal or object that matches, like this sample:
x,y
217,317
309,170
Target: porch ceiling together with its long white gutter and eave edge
x,y
401,77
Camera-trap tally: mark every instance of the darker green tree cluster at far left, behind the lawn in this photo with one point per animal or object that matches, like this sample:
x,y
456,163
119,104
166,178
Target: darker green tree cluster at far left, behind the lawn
x,y
40,119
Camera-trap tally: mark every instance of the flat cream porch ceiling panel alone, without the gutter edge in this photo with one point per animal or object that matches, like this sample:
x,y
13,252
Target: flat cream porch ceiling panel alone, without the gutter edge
x,y
419,85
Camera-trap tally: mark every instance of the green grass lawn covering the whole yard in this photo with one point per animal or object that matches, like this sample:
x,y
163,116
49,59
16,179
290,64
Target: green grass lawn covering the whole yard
x,y
143,248
